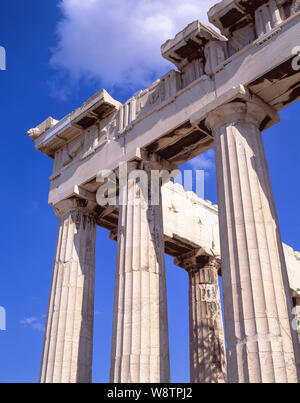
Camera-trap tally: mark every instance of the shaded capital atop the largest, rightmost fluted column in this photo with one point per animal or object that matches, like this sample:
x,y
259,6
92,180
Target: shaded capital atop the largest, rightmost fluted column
x,y
248,109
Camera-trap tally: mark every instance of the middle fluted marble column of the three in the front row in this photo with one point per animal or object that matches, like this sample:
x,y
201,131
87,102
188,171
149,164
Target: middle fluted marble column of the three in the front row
x,y
140,342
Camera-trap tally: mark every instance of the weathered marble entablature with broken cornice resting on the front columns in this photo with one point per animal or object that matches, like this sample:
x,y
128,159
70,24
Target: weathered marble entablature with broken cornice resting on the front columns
x,y
169,117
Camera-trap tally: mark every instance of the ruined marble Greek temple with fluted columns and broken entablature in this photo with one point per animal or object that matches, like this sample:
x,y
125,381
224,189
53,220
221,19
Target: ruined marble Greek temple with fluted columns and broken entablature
x,y
228,87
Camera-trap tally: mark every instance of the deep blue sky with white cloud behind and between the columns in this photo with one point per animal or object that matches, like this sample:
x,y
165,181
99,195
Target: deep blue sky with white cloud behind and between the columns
x,y
40,81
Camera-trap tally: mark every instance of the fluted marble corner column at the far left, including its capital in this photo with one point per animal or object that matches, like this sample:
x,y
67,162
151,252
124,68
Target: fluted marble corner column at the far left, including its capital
x,y
68,344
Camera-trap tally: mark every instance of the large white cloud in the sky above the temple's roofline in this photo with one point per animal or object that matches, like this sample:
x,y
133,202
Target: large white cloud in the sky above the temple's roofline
x,y
116,43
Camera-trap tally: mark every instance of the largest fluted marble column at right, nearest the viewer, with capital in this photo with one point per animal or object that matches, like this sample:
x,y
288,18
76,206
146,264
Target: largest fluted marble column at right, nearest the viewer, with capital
x,y
261,345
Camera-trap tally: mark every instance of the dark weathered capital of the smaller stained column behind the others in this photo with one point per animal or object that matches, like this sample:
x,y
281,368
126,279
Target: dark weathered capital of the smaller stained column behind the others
x,y
196,260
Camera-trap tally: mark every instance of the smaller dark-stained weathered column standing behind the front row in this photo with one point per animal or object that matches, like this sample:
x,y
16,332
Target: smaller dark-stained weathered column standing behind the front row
x,y
207,344
